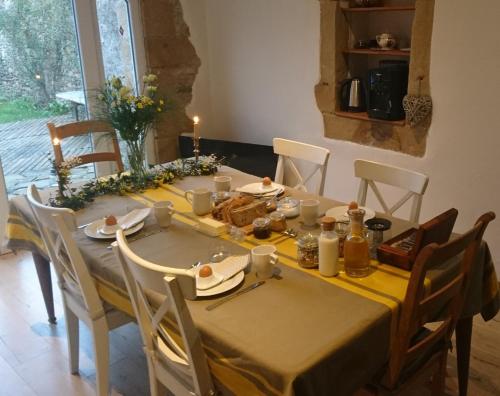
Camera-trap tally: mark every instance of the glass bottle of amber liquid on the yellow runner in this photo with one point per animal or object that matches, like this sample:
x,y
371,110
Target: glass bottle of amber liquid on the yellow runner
x,y
356,250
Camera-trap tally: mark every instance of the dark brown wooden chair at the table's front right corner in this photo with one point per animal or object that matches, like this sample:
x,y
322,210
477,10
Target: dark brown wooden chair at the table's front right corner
x,y
426,322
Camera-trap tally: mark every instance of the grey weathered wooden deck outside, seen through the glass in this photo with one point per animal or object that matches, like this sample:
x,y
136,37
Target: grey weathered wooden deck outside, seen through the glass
x,y
26,153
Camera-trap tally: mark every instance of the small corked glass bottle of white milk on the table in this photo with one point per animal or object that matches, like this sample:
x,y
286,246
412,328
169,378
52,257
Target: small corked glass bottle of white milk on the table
x,y
328,243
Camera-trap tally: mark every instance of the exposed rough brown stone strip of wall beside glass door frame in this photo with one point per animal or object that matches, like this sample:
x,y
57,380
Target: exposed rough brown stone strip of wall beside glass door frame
x,y
171,55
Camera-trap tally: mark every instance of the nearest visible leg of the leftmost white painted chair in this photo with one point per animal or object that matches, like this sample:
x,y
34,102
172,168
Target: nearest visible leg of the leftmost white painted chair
x,y
101,354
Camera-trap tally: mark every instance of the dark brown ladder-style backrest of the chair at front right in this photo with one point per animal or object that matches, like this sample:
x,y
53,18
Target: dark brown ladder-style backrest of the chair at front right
x,y
442,307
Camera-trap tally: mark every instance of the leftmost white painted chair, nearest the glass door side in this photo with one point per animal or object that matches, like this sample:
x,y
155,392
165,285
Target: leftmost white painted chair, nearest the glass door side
x,y
80,298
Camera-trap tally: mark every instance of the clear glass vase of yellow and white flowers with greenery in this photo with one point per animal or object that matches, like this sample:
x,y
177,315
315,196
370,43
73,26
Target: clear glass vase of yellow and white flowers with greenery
x,y
132,116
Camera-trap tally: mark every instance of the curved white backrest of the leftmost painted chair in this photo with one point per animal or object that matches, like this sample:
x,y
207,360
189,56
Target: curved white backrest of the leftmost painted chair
x,y
56,225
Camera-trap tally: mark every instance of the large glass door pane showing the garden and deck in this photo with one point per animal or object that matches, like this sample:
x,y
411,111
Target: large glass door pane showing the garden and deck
x,y
40,82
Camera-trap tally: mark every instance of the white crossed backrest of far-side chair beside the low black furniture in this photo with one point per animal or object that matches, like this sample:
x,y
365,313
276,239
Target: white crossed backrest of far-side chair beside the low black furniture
x,y
288,150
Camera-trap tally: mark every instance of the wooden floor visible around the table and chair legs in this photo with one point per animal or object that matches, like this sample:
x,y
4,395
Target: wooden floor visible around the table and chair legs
x,y
34,358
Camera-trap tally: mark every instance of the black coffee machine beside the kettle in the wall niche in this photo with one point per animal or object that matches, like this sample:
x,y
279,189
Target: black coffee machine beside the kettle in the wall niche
x,y
386,87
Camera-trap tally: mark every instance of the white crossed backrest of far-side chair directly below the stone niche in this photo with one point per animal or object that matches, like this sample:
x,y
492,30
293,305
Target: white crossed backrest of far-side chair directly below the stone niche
x,y
415,183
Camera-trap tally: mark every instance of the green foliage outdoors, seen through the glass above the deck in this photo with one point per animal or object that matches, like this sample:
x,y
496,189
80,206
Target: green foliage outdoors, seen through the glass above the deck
x,y
42,56
